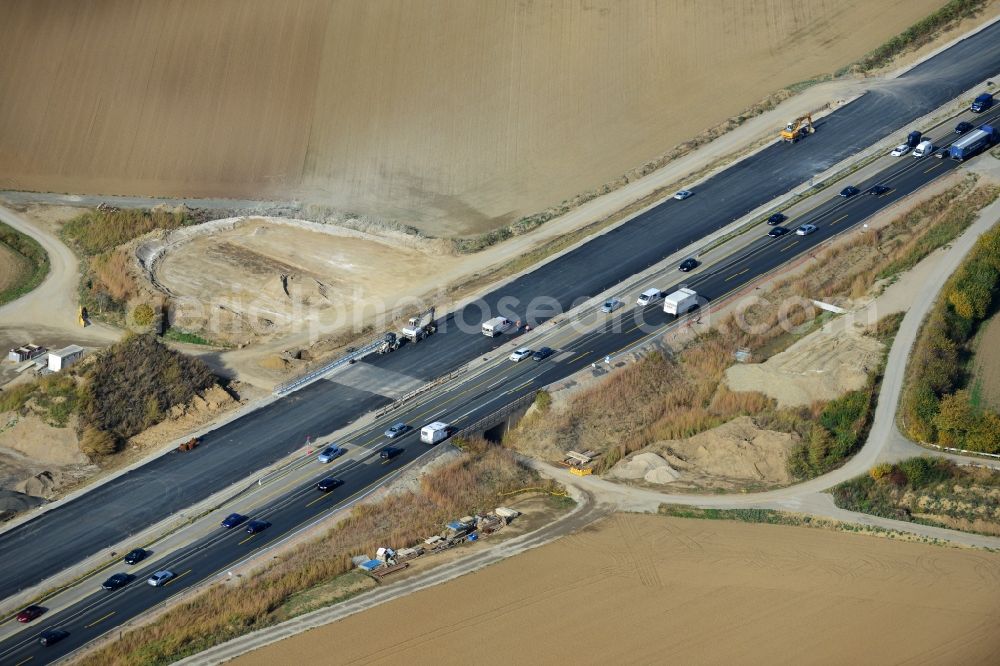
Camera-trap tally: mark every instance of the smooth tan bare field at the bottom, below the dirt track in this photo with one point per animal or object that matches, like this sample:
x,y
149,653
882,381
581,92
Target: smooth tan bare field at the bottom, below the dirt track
x,y
653,589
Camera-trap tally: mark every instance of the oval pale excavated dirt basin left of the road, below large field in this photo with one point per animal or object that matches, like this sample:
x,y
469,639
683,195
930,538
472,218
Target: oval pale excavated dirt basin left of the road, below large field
x,y
242,280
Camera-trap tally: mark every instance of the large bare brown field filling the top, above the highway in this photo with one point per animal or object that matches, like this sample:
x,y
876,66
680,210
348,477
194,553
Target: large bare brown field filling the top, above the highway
x,y
452,115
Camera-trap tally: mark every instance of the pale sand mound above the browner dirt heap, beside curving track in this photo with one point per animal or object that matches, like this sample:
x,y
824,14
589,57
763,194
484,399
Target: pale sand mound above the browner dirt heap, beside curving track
x,y
821,366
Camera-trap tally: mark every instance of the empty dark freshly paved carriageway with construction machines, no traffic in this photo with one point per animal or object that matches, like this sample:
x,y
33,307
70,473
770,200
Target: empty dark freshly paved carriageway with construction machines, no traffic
x,y
66,535
